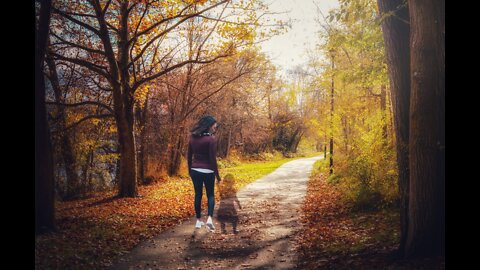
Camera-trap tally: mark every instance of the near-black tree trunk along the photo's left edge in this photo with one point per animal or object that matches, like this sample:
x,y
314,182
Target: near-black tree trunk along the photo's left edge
x,y
44,181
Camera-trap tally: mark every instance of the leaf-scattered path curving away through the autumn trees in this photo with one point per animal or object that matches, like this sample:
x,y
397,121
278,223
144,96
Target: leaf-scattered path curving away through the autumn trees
x,y
267,222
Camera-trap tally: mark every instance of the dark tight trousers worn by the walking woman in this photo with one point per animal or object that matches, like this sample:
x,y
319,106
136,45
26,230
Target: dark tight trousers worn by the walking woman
x,y
198,180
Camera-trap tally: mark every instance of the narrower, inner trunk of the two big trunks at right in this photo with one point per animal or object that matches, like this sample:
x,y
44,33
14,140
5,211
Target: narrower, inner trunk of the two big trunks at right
x,y
396,34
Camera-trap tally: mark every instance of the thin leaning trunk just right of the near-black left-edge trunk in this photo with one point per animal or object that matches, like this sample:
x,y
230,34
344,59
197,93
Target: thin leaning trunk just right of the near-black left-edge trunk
x,y
65,142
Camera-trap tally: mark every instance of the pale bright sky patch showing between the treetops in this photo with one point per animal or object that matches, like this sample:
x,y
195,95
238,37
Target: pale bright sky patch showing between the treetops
x,y
290,49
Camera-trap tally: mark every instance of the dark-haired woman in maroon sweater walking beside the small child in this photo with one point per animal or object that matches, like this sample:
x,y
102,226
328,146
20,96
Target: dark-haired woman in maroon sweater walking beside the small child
x,y
202,165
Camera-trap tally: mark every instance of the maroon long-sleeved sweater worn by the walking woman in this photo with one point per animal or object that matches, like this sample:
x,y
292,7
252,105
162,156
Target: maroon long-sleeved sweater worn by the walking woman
x,y
202,153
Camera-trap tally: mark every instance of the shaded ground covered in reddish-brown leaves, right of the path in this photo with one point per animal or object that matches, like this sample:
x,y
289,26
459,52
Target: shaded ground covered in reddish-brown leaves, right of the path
x,y
334,236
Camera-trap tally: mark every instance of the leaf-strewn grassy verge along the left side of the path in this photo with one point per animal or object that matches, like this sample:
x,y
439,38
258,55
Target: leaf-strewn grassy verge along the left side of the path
x,y
92,233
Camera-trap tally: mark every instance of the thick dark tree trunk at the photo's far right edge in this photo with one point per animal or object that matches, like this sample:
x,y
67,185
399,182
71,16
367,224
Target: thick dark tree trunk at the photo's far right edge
x,y
426,226
